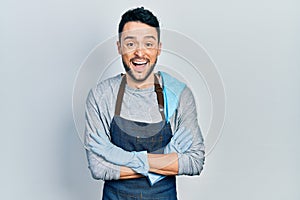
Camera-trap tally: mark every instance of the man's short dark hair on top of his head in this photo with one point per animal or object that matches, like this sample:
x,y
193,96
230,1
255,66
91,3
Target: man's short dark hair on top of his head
x,y
139,15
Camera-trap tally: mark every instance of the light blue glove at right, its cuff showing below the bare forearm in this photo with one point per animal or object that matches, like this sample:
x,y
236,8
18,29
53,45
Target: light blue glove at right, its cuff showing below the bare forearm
x,y
180,143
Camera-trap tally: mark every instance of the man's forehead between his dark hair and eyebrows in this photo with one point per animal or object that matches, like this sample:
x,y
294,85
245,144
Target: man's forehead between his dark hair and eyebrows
x,y
138,30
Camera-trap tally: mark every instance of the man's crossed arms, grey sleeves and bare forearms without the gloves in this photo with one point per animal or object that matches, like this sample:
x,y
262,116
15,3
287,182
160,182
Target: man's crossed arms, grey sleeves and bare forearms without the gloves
x,y
188,163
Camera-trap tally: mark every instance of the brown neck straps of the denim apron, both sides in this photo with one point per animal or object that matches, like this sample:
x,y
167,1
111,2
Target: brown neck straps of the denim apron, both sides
x,y
158,91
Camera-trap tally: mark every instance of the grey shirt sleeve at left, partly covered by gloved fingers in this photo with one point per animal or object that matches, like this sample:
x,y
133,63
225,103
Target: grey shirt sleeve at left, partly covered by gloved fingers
x,y
96,120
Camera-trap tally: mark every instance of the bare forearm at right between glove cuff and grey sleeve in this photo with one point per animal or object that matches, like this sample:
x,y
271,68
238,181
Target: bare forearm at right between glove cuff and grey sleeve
x,y
166,164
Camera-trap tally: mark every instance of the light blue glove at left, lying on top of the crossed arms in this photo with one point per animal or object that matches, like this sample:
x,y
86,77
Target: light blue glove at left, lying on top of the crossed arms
x,y
101,145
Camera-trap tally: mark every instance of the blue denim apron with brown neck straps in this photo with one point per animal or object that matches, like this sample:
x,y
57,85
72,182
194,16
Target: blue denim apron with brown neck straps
x,y
151,137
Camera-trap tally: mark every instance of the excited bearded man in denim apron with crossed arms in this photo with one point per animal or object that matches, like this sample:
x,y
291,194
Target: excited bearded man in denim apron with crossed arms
x,y
141,127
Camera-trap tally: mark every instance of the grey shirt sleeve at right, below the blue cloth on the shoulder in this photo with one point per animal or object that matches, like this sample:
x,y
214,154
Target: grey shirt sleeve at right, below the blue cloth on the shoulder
x,y
191,162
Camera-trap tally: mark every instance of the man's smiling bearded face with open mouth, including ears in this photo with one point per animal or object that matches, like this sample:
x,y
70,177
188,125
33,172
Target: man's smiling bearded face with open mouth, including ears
x,y
139,48
